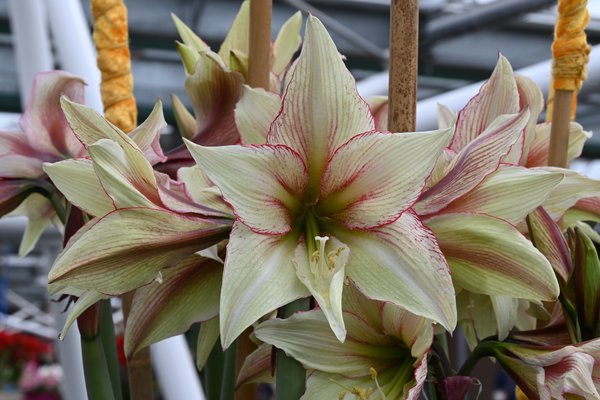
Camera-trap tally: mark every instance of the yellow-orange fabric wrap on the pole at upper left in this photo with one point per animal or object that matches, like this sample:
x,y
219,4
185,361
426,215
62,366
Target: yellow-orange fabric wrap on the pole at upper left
x,y
114,61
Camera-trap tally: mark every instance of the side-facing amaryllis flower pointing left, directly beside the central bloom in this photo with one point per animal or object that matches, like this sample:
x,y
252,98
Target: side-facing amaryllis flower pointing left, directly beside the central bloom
x,y
144,222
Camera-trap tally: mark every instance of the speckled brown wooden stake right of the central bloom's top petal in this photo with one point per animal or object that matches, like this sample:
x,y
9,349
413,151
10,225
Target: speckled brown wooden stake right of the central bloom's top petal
x,y
404,47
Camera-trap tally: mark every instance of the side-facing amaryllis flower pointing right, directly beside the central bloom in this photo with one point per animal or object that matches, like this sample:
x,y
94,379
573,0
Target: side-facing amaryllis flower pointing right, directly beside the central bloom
x,y
477,197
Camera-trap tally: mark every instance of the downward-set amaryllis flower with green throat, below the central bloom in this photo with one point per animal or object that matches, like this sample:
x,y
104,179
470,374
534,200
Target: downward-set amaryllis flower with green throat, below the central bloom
x,y
384,355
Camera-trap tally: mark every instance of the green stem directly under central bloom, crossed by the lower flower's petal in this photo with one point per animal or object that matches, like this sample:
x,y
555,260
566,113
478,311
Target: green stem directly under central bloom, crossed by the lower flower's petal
x,y
290,375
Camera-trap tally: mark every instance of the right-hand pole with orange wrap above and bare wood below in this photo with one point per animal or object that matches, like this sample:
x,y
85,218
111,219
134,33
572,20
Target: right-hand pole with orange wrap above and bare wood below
x,y
570,53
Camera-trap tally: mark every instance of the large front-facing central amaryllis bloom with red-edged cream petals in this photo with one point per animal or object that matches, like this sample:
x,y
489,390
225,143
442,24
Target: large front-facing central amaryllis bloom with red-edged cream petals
x,y
327,198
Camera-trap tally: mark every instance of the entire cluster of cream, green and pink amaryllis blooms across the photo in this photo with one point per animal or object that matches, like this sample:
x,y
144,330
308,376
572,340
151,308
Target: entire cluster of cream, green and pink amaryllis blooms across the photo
x,y
301,191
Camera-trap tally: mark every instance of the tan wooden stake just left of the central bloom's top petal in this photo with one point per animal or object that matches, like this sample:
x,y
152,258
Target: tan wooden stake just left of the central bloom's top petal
x,y
259,59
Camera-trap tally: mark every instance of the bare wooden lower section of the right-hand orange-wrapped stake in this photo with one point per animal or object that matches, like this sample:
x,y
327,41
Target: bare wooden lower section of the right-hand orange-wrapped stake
x,y
559,131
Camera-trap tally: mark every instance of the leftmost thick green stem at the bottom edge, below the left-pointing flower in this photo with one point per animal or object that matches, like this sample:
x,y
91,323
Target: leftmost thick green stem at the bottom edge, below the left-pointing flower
x,y
95,369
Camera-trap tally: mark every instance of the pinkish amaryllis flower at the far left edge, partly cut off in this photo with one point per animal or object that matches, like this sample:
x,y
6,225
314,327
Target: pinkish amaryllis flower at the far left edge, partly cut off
x,y
45,137
